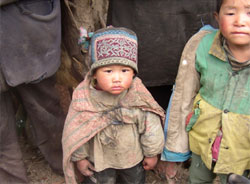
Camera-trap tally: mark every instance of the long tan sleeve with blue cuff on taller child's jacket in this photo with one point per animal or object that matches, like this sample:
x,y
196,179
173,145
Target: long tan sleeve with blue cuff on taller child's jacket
x,y
187,85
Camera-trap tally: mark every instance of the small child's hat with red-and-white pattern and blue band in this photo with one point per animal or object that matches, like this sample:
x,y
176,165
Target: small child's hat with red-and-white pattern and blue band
x,y
114,46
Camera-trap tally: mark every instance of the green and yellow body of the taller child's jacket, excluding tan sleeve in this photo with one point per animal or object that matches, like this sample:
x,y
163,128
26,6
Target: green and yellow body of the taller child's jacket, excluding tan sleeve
x,y
224,101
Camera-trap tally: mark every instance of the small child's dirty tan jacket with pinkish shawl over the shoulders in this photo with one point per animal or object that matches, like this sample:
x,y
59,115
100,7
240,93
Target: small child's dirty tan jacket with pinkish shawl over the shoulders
x,y
92,124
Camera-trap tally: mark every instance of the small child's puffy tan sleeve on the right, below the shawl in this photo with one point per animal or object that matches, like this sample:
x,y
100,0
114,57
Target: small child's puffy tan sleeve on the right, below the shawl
x,y
152,136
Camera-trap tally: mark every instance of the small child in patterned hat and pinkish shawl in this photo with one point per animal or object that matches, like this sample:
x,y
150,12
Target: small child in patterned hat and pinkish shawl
x,y
114,126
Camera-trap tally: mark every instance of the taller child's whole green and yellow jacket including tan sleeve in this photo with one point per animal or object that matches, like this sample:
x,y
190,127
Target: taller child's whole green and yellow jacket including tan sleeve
x,y
219,98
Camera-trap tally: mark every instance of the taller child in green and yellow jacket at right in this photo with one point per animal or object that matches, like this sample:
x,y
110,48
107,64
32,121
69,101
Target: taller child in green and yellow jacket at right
x,y
213,83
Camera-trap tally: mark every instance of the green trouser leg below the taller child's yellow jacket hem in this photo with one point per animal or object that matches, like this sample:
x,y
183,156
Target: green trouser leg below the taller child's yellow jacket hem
x,y
199,173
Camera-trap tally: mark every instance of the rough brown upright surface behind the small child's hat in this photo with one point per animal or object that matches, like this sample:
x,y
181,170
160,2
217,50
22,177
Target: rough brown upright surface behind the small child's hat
x,y
92,15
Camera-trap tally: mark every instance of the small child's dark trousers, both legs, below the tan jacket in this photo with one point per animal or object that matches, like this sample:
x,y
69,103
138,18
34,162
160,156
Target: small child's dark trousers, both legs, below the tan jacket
x,y
134,175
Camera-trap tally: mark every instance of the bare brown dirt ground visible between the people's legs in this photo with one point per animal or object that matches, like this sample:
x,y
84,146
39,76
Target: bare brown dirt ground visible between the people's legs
x,y
39,172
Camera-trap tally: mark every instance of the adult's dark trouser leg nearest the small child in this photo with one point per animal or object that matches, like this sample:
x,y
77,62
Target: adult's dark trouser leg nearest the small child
x,y
42,104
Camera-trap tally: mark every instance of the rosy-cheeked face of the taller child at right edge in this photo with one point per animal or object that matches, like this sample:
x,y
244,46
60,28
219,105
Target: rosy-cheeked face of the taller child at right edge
x,y
234,22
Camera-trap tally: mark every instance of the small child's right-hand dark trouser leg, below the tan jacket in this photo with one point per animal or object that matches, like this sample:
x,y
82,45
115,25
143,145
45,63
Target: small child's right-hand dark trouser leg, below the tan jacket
x,y
134,175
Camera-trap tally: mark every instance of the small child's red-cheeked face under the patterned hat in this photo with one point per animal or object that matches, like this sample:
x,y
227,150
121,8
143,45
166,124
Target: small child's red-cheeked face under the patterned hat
x,y
114,79
